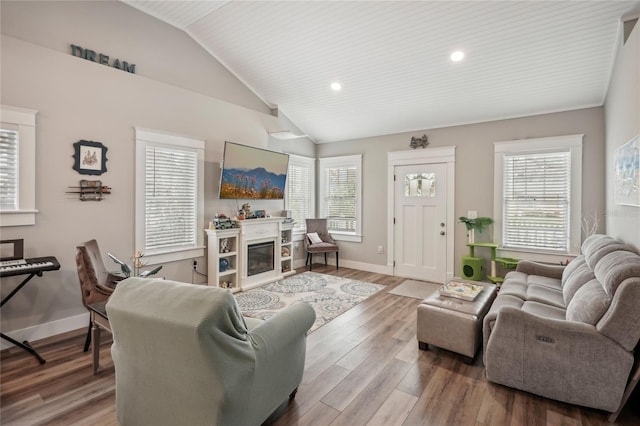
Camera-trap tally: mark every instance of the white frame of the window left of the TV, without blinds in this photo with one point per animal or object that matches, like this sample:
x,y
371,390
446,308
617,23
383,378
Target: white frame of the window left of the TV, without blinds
x,y
148,137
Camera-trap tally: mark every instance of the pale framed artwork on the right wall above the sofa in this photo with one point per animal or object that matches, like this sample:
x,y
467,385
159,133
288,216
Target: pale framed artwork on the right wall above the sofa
x,y
627,173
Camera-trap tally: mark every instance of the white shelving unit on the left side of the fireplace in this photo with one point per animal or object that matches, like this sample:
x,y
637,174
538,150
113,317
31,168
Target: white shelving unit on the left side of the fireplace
x,y
223,244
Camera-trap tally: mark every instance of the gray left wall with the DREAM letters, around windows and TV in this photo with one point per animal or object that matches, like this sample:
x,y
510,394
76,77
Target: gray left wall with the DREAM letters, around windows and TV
x,y
178,88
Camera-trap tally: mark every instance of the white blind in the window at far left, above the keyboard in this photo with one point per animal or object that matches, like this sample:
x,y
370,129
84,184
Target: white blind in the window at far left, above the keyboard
x,y
8,169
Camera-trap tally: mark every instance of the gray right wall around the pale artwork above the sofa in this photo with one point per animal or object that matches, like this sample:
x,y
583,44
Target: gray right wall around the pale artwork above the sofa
x,y
623,122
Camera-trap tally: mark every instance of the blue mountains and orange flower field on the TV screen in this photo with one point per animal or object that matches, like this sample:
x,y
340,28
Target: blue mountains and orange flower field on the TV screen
x,y
257,183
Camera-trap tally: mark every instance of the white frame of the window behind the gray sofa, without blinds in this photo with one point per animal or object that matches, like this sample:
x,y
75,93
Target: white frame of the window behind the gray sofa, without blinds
x,y
569,143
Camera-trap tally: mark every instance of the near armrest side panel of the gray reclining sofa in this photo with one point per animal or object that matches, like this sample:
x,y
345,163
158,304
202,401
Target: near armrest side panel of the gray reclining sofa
x,y
559,359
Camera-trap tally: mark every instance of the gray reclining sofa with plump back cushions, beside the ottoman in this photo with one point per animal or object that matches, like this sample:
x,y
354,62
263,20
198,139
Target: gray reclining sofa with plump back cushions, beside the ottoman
x,y
568,333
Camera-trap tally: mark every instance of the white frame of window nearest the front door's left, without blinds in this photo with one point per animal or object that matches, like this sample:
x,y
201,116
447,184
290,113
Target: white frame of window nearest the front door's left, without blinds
x,y
324,164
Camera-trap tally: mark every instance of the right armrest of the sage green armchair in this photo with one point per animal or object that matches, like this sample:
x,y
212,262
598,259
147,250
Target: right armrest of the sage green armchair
x,y
284,327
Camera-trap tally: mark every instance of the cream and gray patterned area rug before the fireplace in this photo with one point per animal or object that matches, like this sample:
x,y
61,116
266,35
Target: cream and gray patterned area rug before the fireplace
x,y
329,296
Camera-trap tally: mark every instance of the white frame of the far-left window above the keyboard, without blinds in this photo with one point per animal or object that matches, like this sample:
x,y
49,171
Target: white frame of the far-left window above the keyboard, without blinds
x,y
23,121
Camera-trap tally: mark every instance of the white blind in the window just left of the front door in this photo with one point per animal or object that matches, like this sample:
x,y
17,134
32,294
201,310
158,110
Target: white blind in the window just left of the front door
x,y
342,199
